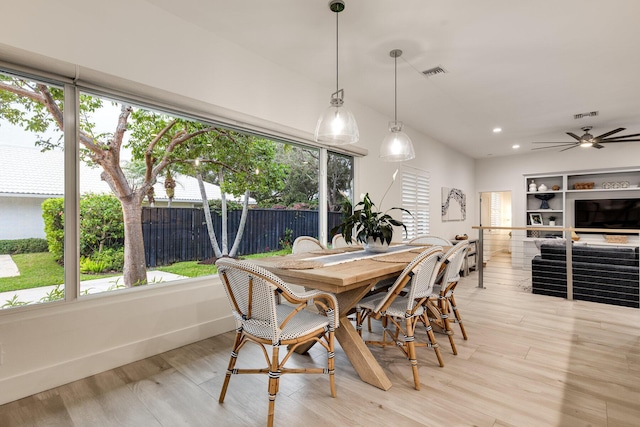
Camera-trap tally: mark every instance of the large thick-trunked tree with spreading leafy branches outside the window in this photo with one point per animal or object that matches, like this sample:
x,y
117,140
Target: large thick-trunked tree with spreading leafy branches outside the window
x,y
37,107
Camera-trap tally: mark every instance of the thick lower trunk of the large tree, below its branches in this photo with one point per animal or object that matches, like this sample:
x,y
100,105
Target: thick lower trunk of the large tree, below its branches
x,y
135,266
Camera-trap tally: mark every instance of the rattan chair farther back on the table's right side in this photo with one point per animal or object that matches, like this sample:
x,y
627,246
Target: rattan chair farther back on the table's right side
x,y
443,292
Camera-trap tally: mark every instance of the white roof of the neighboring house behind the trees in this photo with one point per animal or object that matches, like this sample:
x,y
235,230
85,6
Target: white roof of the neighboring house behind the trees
x,y
28,171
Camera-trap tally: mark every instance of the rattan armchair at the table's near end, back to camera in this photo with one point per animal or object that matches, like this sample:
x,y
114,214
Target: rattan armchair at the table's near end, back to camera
x,y
260,319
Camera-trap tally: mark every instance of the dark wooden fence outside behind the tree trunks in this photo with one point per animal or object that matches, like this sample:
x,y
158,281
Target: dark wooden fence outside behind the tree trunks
x,y
180,234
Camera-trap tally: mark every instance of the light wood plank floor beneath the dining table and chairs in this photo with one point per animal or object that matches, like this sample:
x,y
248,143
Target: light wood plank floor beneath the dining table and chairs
x,y
530,360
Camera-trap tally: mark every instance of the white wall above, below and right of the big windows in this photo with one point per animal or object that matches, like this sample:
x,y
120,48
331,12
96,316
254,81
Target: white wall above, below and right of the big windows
x,y
52,344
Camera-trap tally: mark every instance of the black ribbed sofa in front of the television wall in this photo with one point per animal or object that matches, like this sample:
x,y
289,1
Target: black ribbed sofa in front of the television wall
x,y
601,274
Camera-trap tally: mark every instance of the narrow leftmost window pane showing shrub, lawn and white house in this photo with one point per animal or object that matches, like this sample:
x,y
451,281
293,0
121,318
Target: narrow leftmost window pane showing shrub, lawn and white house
x,y
31,192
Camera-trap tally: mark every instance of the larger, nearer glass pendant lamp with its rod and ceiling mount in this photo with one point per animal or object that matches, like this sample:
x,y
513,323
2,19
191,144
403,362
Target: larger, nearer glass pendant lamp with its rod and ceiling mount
x,y
337,125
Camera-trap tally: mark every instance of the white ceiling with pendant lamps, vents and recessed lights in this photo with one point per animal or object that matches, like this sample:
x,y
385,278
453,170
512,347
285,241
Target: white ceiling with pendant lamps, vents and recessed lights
x,y
527,67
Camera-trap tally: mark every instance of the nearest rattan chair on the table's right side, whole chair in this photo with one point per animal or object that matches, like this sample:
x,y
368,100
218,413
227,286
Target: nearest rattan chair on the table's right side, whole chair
x,y
402,311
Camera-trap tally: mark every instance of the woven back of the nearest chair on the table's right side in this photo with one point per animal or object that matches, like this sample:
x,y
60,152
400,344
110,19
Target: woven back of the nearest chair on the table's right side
x,y
420,273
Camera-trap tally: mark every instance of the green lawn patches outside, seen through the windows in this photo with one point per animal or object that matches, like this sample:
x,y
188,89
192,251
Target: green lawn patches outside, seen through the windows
x,y
40,269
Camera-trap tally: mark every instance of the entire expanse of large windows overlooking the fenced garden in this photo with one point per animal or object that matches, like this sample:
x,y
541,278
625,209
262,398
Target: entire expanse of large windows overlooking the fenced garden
x,y
145,178
